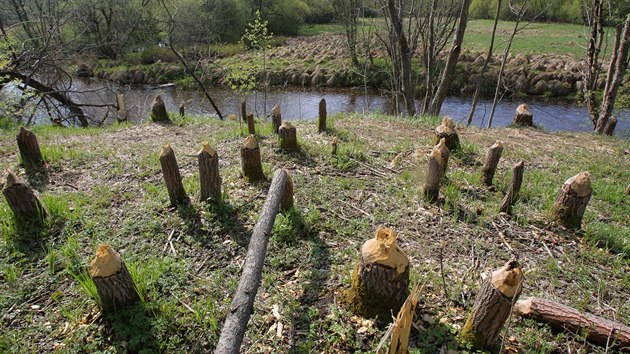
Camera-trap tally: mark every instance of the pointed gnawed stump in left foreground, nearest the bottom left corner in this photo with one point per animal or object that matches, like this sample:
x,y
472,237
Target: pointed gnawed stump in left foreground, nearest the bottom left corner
x,y
112,279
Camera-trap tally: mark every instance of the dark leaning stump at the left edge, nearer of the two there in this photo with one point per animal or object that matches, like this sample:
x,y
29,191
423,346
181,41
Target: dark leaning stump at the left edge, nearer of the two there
x,y
26,207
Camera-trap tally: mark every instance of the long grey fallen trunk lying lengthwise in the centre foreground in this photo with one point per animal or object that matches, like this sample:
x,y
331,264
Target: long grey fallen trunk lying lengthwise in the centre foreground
x,y
243,301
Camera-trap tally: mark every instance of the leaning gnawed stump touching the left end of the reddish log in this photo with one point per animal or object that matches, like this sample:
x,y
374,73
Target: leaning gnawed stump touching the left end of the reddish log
x,y
493,305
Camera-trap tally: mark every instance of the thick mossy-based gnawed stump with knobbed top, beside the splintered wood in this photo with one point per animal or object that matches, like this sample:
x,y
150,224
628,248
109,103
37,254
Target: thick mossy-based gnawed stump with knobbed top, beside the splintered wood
x,y
380,282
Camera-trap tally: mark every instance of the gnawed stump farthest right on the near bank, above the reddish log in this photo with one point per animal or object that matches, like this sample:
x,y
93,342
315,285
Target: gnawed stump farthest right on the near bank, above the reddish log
x,y
569,207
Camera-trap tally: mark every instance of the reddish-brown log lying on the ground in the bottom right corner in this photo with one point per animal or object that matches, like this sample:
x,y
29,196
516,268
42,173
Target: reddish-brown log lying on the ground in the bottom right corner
x,y
598,330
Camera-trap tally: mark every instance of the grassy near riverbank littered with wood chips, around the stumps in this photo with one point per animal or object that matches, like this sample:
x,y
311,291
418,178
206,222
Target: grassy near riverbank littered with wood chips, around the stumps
x,y
105,185
